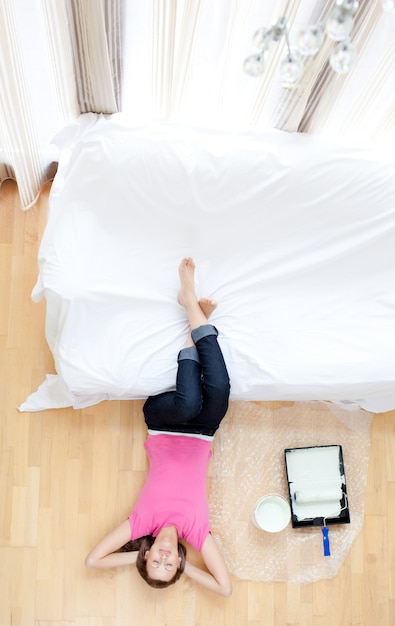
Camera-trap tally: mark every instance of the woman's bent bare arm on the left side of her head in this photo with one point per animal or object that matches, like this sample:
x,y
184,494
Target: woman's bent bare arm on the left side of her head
x,y
104,554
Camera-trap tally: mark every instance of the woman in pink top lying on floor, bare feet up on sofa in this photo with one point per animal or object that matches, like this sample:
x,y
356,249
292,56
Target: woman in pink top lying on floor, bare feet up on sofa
x,y
173,502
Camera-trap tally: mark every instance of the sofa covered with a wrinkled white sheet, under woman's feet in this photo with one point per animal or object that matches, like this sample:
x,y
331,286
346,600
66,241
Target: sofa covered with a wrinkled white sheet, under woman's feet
x,y
293,234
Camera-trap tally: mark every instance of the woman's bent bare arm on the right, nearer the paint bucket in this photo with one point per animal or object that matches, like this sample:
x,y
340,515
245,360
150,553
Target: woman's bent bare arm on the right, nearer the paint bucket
x,y
217,578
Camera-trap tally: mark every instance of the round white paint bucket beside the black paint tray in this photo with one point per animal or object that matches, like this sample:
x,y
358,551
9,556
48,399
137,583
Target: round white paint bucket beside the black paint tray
x,y
271,513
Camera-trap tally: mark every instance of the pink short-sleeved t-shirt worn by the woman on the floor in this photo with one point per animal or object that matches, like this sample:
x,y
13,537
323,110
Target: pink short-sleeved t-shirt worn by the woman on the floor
x,y
175,490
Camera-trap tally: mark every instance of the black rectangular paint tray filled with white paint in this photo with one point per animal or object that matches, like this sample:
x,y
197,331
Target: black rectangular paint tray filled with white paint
x,y
317,486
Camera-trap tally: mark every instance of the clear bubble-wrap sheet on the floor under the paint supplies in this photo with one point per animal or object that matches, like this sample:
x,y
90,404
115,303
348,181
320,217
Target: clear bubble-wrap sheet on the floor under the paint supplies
x,y
248,462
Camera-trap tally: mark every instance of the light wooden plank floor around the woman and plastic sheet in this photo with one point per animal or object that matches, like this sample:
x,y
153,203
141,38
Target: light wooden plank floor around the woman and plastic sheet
x,y
67,477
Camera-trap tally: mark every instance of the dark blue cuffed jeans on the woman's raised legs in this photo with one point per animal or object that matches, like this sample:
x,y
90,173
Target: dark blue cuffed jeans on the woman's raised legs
x,y
201,398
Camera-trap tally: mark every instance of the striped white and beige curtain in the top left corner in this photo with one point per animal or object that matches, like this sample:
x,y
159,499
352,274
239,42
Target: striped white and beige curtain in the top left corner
x,y
78,70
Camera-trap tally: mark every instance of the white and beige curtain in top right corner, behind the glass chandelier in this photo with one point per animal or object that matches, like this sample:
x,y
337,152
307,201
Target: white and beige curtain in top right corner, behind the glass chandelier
x,y
362,103
